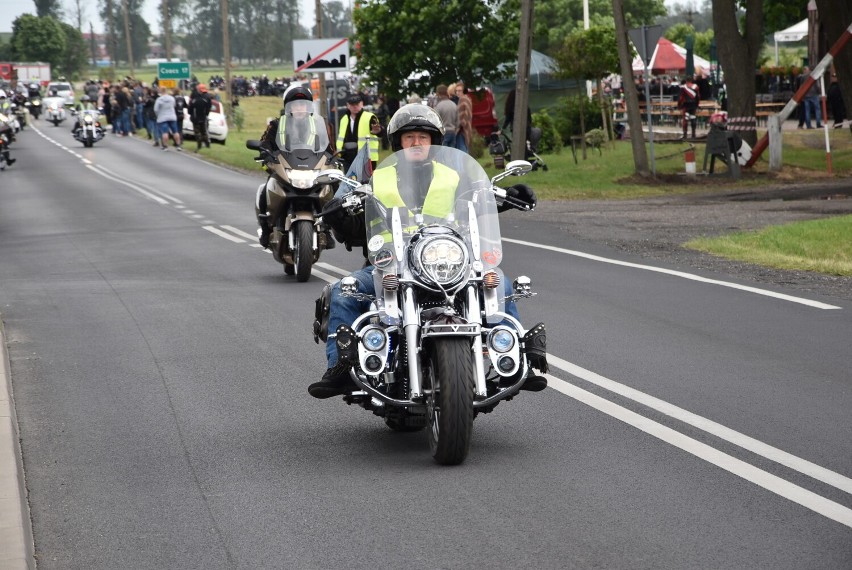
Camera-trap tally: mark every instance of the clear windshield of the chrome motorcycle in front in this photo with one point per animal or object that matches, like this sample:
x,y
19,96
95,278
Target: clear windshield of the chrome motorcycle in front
x,y
431,186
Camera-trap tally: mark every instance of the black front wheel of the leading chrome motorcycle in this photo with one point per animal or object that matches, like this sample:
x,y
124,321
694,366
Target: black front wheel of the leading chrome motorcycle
x,y
450,409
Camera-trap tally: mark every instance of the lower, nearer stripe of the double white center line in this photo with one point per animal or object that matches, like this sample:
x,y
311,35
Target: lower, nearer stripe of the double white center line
x,y
772,483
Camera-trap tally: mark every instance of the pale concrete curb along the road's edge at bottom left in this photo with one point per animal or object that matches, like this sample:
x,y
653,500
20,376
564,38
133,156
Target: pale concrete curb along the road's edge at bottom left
x,y
16,538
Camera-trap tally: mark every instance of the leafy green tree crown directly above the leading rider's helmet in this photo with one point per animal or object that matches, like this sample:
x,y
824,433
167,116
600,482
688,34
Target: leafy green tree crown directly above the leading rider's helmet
x,y
440,41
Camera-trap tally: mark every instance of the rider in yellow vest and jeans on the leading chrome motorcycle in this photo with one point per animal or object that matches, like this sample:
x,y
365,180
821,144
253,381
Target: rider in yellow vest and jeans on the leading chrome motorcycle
x,y
414,129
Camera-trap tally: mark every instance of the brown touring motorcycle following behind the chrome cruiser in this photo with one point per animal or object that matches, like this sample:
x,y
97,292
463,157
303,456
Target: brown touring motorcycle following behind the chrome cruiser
x,y
291,200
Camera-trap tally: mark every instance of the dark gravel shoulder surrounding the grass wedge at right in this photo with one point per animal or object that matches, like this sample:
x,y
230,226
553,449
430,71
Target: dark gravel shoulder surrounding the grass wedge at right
x,y
656,228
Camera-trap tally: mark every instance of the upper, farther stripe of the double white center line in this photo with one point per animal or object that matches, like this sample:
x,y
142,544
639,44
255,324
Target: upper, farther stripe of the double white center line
x,y
753,445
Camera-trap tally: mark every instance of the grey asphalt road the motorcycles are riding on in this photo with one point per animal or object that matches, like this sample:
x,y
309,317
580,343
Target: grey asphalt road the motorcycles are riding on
x,y
160,360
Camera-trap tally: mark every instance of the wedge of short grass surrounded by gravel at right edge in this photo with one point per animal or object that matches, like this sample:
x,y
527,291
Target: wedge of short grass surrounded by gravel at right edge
x,y
823,246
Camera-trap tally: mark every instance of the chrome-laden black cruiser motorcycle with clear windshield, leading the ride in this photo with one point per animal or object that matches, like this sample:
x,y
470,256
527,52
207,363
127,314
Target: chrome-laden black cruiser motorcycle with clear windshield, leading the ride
x,y
438,345
